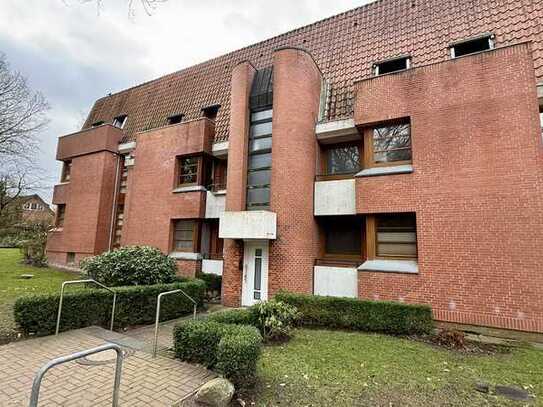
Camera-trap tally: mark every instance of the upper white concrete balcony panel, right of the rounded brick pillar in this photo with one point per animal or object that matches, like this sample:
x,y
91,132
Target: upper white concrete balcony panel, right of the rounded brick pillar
x,y
335,197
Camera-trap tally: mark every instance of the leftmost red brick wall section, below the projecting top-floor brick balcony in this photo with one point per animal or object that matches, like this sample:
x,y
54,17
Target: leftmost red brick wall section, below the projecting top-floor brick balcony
x,y
88,198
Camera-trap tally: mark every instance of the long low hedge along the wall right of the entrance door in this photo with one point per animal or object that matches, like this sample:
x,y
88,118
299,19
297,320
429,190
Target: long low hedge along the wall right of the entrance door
x,y
349,313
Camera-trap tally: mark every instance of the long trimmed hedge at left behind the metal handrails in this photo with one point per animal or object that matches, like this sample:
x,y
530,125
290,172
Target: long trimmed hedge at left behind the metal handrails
x,y
135,305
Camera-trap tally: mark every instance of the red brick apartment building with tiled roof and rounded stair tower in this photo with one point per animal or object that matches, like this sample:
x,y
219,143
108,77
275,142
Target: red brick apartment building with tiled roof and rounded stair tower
x,y
392,152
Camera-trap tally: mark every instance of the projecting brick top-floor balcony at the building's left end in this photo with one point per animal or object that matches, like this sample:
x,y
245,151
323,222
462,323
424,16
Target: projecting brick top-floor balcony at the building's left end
x,y
93,140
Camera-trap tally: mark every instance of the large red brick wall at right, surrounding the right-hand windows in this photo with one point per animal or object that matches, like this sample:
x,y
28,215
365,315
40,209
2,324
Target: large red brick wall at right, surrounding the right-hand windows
x,y
476,187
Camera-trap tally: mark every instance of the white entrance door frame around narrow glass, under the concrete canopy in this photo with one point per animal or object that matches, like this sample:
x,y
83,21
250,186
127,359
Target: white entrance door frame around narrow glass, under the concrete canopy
x,y
247,278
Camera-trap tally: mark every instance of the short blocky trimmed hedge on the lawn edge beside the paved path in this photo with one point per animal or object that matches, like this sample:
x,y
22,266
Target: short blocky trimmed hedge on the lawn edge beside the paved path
x,y
230,350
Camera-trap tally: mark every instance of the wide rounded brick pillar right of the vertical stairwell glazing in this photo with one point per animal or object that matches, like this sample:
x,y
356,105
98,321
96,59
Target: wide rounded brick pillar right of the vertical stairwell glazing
x,y
296,95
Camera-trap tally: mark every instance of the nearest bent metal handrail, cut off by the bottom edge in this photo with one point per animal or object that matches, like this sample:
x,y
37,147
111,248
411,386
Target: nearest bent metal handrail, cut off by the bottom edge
x,y
35,394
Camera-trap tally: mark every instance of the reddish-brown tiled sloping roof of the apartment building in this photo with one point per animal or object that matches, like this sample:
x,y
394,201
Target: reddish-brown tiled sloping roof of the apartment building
x,y
345,47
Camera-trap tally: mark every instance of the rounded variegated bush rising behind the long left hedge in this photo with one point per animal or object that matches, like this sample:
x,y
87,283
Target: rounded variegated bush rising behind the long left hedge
x,y
131,265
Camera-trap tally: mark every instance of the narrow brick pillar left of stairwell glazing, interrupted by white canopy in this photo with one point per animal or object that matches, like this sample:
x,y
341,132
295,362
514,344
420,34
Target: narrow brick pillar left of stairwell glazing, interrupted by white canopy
x,y
242,78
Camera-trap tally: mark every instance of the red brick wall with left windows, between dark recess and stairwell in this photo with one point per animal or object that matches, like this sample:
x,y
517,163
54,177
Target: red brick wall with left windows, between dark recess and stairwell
x,y
151,204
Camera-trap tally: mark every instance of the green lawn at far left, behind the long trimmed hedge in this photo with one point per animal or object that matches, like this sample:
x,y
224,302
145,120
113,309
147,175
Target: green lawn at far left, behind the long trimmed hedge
x,y
45,280
